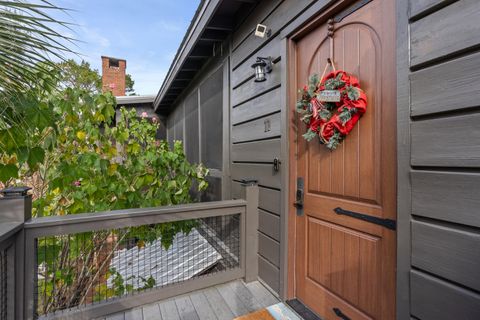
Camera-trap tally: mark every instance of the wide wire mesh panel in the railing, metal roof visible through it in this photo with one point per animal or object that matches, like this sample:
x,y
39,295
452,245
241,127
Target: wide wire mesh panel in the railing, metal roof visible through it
x,y
81,269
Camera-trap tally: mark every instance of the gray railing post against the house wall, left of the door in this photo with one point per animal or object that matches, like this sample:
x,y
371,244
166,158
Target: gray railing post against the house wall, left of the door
x,y
251,230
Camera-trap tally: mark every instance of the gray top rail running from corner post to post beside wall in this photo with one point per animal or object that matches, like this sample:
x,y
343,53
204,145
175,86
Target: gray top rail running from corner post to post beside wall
x,y
131,217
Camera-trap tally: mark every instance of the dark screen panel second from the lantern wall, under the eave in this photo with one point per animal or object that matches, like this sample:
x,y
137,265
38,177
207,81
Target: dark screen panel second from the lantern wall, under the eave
x,y
191,128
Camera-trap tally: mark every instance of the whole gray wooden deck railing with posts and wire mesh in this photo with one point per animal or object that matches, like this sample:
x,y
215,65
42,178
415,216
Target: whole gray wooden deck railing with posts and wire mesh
x,y
89,265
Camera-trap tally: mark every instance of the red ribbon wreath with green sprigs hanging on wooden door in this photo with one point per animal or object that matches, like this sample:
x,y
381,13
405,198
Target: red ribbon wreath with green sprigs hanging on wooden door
x,y
331,121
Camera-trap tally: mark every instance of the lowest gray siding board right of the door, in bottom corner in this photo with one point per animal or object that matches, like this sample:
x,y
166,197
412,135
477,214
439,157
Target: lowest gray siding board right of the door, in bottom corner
x,y
434,299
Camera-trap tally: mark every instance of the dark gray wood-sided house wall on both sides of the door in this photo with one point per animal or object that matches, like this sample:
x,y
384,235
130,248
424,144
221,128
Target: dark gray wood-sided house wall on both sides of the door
x,y
438,157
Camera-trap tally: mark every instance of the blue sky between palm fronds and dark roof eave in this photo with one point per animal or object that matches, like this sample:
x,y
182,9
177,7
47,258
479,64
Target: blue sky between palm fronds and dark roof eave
x,y
146,33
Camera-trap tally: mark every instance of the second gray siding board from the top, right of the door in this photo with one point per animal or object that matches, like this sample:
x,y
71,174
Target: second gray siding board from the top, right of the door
x,y
448,31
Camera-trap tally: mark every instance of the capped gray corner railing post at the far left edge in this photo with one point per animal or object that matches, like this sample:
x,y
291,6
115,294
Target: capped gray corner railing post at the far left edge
x,y
16,206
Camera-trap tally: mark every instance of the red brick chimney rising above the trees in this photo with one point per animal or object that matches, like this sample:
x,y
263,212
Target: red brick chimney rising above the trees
x,y
113,75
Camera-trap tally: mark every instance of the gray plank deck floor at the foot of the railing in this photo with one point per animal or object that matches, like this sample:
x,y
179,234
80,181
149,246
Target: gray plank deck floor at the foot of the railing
x,y
222,302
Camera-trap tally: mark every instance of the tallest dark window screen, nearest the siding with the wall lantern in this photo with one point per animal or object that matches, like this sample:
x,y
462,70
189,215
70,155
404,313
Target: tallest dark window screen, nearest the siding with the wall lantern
x,y
211,109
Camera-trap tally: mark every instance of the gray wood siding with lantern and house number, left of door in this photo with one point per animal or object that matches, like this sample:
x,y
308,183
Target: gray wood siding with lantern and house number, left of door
x,y
258,123
